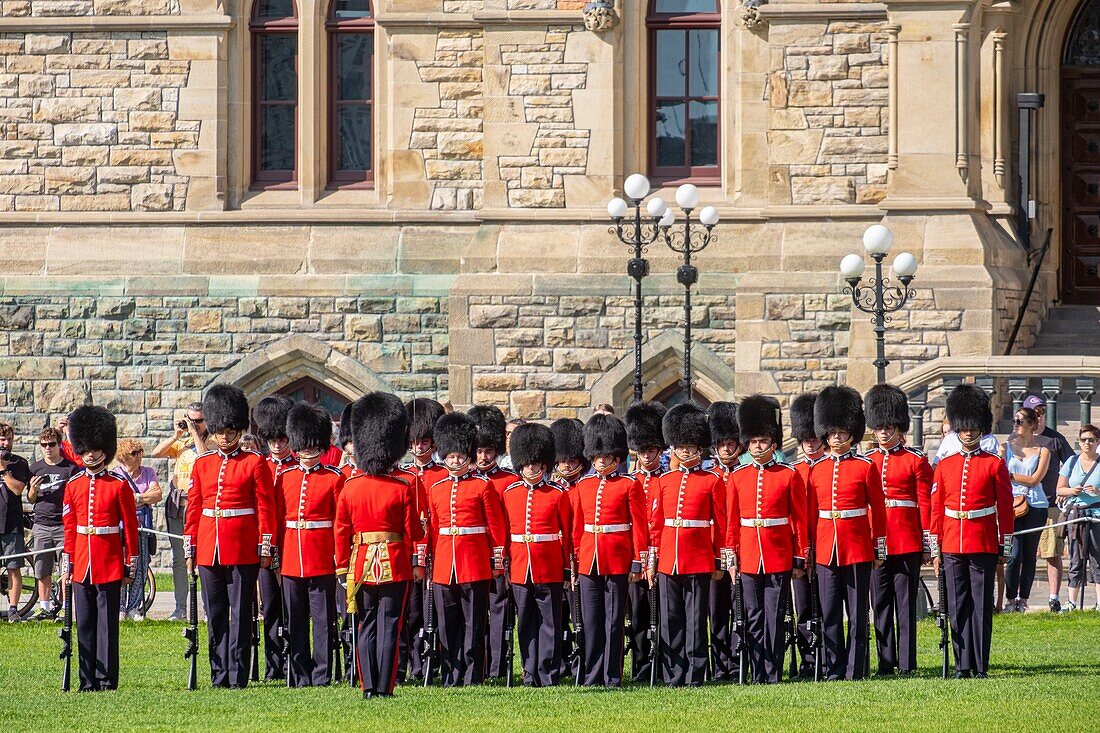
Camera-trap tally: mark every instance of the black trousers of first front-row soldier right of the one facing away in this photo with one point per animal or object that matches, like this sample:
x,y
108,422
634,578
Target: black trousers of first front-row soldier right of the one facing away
x,y
463,612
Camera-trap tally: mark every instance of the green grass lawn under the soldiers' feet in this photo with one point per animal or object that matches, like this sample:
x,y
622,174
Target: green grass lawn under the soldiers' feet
x,y
1046,680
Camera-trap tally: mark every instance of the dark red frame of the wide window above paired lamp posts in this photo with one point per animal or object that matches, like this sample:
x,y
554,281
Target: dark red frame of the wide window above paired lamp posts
x,y
707,176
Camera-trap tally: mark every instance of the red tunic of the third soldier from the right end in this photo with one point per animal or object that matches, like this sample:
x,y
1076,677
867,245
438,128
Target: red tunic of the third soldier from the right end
x,y
840,486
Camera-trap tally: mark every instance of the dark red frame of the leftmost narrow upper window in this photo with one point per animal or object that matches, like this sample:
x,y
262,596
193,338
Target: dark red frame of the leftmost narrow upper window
x,y
262,28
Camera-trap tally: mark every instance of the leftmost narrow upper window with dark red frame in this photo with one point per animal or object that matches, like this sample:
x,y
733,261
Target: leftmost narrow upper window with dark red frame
x,y
274,30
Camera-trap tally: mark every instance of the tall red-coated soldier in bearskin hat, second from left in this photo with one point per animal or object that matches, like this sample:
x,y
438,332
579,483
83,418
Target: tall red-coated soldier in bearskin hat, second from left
x,y
229,533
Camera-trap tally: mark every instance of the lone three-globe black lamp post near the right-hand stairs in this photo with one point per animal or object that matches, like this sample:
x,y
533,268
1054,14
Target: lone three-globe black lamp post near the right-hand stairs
x,y
879,298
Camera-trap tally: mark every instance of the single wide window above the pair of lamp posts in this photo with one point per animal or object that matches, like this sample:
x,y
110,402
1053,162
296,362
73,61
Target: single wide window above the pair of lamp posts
x,y
684,90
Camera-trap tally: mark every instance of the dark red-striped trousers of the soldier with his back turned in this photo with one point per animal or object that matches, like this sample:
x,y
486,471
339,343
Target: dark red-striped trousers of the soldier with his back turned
x,y
379,625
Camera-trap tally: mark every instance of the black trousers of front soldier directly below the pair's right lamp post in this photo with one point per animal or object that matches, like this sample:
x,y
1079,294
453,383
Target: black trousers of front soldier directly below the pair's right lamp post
x,y
685,608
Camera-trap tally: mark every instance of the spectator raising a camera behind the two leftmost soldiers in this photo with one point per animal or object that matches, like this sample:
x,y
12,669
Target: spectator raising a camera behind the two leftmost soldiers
x,y
190,442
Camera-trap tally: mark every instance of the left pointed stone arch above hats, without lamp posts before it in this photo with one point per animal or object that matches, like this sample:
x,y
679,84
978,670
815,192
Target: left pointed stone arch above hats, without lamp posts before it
x,y
288,360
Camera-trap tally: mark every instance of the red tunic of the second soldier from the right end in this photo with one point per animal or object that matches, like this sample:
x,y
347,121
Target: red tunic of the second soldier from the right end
x,y
907,484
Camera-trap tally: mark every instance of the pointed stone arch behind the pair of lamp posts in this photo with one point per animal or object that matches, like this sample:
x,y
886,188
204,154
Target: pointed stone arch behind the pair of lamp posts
x,y
662,366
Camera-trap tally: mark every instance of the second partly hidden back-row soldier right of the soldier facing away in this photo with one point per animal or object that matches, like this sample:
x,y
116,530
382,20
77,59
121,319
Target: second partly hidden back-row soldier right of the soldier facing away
x,y
491,440
